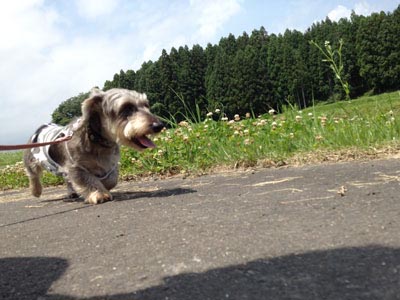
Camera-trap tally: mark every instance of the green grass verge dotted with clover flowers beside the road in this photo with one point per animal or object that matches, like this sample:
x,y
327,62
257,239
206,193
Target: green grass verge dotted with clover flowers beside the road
x,y
364,125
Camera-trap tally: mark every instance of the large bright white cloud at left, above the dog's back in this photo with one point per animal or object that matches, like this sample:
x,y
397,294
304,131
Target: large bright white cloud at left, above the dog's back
x,y
40,67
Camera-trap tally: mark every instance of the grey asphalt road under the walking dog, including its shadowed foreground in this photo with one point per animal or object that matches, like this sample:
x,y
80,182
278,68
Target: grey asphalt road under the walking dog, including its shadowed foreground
x,y
315,232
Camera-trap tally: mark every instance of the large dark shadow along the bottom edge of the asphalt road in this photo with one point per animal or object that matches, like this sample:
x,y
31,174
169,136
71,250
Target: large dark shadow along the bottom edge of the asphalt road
x,y
348,273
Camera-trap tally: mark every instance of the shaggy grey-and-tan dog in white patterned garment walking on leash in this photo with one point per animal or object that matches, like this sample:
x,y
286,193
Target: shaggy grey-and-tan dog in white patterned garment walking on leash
x,y
89,160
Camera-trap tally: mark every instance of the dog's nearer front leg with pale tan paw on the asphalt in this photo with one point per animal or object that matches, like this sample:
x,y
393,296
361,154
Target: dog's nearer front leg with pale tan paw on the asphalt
x,y
89,186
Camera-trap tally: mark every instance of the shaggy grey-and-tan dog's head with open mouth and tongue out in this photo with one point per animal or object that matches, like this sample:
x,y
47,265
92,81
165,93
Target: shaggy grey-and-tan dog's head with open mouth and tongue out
x,y
121,116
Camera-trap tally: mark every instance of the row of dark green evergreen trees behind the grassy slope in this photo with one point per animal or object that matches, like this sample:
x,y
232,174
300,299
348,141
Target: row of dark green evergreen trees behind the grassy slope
x,y
256,72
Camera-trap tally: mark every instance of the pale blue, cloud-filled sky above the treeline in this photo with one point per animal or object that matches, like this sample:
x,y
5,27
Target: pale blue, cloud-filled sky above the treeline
x,y
53,50
